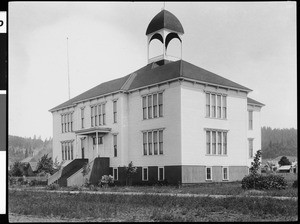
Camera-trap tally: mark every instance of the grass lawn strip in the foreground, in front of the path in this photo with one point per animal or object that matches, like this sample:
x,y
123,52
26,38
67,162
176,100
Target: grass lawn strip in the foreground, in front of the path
x,y
85,207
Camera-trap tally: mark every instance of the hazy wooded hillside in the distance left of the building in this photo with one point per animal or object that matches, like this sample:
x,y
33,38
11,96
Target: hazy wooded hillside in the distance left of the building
x,y
20,148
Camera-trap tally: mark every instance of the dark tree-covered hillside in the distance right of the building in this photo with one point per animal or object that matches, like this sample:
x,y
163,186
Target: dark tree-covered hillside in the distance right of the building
x,y
278,142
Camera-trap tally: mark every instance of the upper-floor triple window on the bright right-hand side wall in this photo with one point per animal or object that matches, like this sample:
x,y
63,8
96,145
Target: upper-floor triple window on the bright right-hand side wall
x,y
216,105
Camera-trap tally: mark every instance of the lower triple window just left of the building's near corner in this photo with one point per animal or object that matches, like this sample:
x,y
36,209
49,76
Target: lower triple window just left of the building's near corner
x,y
153,142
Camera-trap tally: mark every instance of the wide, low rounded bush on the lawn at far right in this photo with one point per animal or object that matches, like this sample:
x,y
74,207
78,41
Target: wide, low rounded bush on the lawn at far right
x,y
261,182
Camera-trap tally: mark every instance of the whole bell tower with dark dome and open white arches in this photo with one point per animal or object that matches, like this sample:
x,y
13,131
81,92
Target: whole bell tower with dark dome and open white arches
x,y
164,27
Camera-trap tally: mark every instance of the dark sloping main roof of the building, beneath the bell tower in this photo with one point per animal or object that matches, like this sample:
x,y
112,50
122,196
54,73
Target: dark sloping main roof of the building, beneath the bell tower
x,y
152,74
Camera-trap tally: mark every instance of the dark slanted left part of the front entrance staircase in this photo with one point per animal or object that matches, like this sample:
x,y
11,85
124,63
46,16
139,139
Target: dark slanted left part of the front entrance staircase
x,y
67,171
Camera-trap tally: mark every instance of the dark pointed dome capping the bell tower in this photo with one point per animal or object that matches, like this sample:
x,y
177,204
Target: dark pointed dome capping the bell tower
x,y
164,19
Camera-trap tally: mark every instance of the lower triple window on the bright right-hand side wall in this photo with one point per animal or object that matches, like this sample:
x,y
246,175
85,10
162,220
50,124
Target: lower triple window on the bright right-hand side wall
x,y
216,142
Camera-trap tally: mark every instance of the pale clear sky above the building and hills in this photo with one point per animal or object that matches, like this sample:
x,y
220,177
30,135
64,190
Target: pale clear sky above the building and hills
x,y
252,43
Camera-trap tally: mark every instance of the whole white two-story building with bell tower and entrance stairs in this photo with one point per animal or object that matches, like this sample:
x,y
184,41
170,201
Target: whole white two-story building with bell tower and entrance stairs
x,y
174,120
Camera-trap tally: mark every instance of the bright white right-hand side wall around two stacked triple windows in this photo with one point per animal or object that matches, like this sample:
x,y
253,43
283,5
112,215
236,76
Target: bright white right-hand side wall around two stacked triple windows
x,y
193,124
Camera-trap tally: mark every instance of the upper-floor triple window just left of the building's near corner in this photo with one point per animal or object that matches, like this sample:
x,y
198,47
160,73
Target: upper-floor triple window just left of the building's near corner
x,y
152,105
